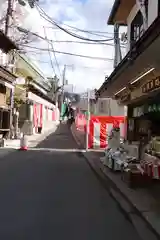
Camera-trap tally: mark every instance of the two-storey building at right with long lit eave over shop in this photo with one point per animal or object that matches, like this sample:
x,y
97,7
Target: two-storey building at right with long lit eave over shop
x,y
135,82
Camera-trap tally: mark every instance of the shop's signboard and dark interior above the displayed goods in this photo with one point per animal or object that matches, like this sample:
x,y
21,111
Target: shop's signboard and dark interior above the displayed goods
x,y
144,111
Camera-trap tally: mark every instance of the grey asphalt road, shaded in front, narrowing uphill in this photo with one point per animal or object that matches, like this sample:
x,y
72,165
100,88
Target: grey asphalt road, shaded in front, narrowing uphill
x,y
48,194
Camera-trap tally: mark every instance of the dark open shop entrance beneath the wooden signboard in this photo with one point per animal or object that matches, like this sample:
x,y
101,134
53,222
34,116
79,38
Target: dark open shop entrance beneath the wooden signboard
x,y
144,119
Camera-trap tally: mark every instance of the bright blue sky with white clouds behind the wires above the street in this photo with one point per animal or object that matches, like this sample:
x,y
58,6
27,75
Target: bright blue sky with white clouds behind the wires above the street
x,y
83,73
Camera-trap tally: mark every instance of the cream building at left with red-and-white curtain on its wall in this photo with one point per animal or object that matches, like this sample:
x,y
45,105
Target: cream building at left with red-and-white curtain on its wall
x,y
37,110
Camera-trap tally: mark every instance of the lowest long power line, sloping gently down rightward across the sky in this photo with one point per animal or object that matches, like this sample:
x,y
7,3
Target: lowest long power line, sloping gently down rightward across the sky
x,y
71,54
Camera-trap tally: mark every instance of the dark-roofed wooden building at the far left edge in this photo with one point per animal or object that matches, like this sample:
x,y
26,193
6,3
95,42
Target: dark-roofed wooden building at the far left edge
x,y
7,80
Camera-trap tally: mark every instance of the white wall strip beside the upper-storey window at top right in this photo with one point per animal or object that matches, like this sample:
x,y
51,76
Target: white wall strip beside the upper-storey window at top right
x,y
152,11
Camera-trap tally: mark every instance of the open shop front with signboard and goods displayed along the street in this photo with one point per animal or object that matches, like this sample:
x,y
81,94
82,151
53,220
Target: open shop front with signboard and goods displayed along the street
x,y
138,158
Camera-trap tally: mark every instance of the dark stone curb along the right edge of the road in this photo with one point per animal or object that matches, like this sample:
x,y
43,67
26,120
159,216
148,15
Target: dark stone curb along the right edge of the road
x,y
144,228
